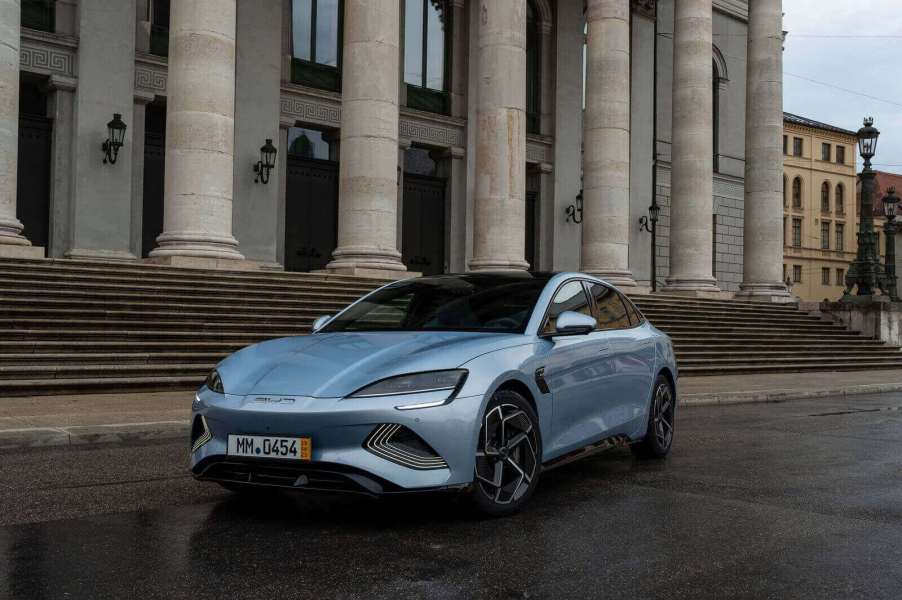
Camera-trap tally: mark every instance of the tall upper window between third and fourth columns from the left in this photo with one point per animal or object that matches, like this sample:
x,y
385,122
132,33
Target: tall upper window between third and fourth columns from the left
x,y
426,50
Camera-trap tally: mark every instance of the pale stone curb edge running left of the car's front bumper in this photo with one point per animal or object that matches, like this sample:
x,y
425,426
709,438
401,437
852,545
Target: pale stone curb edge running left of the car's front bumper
x,y
92,434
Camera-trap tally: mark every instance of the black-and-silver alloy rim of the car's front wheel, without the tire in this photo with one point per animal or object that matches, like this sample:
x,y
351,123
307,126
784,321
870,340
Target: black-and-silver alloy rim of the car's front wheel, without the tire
x,y
506,457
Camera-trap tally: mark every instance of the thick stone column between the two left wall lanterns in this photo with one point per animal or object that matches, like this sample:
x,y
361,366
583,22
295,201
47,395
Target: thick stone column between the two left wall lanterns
x,y
200,134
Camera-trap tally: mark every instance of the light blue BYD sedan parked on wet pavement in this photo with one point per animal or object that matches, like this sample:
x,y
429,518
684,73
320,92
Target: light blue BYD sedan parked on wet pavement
x,y
475,382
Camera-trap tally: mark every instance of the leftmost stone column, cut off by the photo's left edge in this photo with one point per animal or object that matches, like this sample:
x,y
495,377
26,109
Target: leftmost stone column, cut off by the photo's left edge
x,y
12,242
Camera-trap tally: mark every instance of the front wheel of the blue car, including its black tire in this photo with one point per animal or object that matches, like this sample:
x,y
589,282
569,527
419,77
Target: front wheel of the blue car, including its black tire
x,y
508,458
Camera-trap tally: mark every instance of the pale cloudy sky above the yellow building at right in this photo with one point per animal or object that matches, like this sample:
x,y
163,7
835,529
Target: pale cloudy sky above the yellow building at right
x,y
855,45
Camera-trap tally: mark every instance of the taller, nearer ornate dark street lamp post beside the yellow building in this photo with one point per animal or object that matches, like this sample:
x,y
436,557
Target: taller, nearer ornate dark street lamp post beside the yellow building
x,y
866,273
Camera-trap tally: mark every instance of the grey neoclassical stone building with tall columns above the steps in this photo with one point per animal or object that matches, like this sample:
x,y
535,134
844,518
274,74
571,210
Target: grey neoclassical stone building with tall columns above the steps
x,y
411,135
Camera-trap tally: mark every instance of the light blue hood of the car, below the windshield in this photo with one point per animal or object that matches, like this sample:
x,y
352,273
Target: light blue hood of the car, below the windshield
x,y
333,365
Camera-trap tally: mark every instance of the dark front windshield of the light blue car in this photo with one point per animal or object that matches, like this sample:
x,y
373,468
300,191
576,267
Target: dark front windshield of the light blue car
x,y
500,304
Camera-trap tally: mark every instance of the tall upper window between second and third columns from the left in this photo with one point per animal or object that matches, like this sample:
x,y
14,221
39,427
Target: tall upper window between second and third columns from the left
x,y
316,43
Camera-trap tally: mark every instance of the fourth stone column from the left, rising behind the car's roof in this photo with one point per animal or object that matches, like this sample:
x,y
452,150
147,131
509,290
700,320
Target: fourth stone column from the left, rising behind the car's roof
x,y
500,191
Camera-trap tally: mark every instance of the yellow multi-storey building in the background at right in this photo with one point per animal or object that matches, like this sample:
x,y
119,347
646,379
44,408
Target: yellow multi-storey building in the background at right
x,y
819,207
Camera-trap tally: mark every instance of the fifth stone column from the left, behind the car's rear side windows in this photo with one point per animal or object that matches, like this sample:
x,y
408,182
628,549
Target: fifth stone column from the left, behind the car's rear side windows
x,y
606,142
